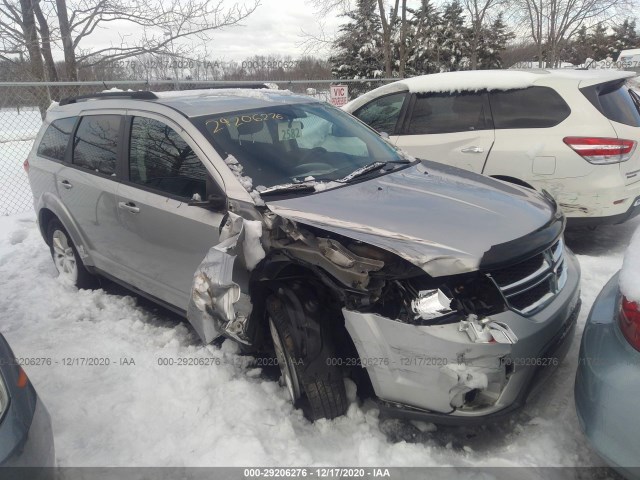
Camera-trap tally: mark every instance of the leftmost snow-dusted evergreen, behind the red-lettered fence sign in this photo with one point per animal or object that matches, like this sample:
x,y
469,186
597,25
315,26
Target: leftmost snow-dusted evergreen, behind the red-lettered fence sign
x,y
359,45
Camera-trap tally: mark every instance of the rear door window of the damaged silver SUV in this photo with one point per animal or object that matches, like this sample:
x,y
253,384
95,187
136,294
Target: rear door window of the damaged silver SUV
x,y
95,146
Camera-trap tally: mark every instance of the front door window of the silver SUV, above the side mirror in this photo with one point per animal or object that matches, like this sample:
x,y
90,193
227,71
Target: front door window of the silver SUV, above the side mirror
x,y
160,159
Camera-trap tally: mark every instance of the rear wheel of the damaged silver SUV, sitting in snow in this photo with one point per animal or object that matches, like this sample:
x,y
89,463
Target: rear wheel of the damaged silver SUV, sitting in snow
x,y
66,259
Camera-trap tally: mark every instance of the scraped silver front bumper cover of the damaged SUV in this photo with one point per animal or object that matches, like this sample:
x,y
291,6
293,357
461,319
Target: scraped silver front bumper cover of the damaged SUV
x,y
426,364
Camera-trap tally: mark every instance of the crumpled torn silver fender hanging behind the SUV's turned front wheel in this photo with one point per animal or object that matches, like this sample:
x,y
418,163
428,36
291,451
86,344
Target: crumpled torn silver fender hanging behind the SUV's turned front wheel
x,y
219,304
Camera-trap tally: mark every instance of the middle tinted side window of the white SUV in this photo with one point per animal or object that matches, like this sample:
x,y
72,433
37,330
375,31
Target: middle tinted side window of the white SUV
x,y
446,113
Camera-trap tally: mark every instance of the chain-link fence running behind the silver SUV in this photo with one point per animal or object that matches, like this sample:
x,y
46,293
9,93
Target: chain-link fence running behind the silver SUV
x,y
23,105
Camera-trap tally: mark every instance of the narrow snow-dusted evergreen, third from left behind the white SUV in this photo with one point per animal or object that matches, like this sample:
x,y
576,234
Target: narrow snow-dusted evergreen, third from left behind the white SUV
x,y
453,38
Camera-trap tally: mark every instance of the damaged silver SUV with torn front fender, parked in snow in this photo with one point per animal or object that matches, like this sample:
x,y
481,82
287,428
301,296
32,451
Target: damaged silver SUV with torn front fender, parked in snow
x,y
289,226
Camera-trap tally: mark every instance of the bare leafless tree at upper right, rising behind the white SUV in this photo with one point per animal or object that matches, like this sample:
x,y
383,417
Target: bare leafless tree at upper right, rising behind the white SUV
x,y
554,22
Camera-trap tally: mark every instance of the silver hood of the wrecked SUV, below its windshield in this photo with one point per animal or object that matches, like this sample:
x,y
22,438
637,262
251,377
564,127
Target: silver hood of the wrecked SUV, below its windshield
x,y
440,218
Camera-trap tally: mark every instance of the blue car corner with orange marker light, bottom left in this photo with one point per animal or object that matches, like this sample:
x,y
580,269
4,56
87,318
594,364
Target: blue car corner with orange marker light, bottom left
x,y
26,436
